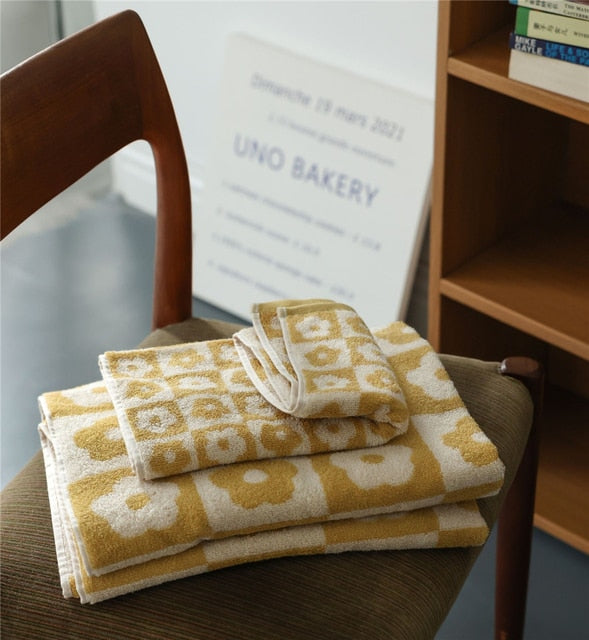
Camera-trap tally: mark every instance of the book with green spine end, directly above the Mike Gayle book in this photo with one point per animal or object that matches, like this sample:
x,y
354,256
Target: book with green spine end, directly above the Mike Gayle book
x,y
549,26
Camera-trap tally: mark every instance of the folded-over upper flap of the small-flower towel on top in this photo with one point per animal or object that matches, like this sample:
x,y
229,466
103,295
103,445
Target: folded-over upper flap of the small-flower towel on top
x,y
317,358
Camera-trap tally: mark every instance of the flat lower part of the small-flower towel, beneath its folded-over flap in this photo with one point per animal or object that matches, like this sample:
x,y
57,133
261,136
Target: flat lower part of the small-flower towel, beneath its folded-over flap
x,y
192,406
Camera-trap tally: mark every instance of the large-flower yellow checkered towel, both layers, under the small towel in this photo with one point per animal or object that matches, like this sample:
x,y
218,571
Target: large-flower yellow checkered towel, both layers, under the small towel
x,y
116,532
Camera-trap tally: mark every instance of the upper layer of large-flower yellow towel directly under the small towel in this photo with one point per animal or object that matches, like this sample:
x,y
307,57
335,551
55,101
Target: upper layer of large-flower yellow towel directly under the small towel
x,y
117,520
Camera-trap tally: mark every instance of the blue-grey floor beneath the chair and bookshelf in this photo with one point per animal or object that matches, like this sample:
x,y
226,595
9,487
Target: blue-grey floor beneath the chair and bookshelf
x,y
76,283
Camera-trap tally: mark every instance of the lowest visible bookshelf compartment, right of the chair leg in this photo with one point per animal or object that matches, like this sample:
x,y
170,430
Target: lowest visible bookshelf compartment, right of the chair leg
x,y
562,490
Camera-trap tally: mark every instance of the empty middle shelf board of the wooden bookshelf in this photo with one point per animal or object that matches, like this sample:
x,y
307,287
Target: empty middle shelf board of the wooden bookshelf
x,y
536,280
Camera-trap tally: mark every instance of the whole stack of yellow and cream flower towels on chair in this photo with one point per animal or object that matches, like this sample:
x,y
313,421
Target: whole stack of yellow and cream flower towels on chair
x,y
306,433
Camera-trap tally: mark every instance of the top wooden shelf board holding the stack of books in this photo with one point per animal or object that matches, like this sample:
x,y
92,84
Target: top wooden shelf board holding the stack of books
x,y
486,64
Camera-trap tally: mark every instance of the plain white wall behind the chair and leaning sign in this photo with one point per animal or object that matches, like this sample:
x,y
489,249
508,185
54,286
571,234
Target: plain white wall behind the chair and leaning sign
x,y
391,42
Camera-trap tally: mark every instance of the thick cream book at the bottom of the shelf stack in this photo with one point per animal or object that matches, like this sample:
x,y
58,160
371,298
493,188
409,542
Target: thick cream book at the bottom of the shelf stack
x,y
549,73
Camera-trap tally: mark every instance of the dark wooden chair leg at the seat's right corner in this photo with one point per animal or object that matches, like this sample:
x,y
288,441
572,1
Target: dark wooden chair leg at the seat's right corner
x,y
514,539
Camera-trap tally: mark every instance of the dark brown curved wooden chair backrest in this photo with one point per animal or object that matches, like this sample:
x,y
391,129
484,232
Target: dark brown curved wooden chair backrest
x,y
73,105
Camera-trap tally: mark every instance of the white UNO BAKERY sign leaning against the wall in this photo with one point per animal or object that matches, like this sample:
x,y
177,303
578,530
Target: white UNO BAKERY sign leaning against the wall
x,y
317,186
